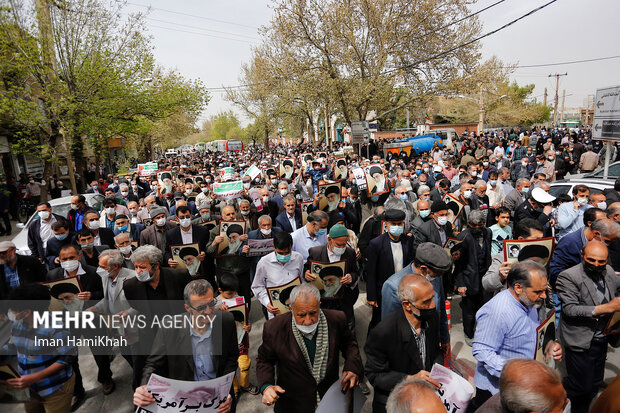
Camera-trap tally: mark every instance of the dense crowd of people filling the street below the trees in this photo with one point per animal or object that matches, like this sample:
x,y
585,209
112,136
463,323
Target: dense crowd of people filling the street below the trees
x,y
406,231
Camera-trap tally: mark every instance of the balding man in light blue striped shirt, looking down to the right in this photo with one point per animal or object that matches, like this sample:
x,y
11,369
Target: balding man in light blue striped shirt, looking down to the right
x,y
507,327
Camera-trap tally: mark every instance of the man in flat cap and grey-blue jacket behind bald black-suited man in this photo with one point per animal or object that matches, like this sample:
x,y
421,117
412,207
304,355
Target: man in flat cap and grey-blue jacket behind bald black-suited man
x,y
431,261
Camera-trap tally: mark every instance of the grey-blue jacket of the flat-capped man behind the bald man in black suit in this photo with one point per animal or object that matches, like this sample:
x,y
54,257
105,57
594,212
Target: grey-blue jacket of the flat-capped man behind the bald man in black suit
x,y
390,302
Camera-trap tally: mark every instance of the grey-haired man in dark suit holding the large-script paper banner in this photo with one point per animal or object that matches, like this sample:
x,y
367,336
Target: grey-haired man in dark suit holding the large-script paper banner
x,y
175,350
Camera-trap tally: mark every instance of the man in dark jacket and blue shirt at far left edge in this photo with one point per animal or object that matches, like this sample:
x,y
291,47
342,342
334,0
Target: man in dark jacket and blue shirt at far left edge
x,y
23,269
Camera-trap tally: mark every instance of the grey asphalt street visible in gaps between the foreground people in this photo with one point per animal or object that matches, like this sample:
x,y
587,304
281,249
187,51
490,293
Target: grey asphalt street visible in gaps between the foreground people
x,y
121,399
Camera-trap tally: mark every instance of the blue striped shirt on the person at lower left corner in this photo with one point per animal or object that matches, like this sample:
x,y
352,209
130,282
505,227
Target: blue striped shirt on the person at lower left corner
x,y
32,359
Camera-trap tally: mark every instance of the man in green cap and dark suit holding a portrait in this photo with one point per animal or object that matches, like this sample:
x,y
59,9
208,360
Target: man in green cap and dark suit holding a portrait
x,y
336,250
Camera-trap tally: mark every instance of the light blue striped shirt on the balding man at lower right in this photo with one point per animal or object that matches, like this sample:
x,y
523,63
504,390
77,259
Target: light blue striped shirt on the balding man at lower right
x,y
505,330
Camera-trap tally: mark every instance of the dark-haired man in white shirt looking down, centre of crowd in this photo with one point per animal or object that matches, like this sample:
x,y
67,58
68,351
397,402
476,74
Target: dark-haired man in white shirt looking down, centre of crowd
x,y
276,268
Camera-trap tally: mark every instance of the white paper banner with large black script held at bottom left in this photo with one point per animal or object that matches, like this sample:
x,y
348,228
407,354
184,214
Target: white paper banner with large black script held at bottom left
x,y
187,396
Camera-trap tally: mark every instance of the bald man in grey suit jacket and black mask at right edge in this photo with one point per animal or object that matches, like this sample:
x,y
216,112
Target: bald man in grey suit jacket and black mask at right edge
x,y
588,293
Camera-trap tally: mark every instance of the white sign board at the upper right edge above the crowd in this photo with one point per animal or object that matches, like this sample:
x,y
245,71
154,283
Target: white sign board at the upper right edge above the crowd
x,y
606,122
